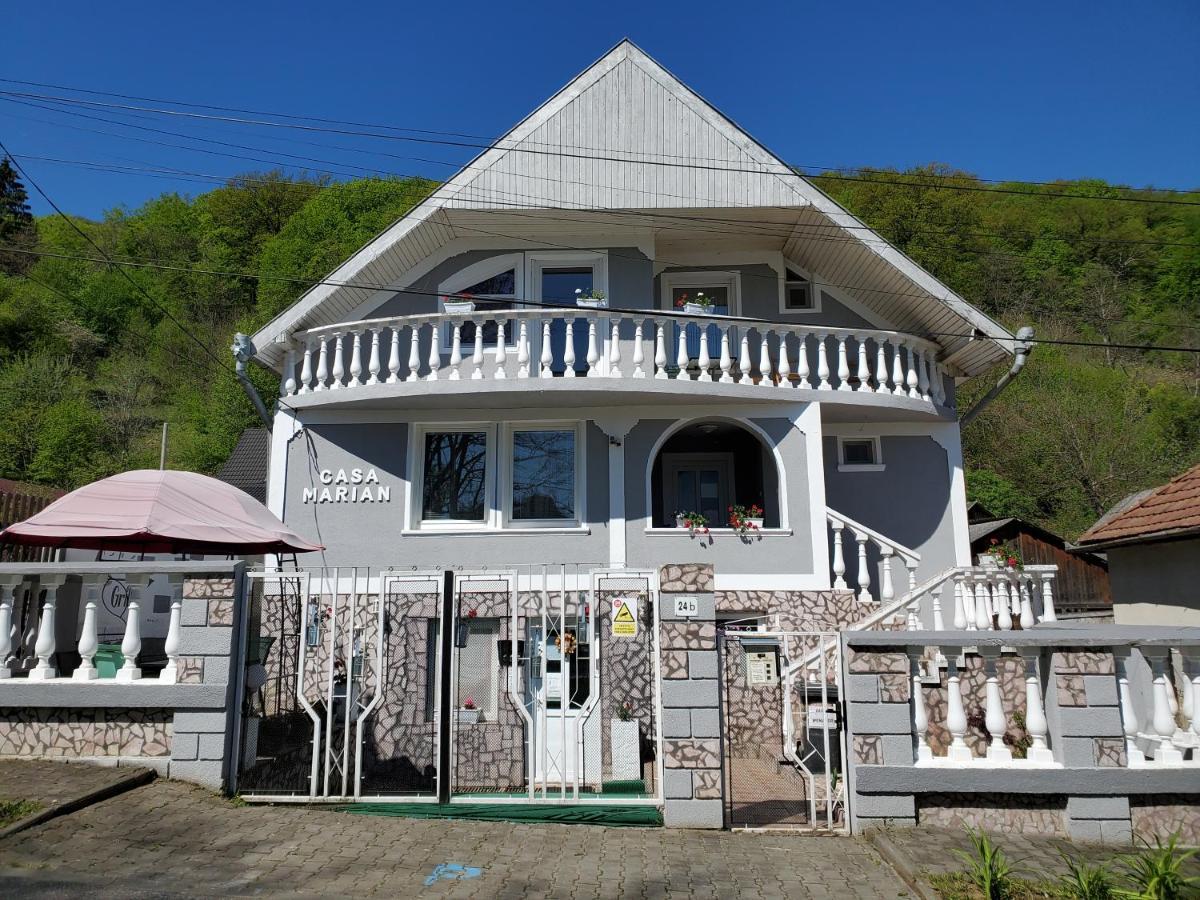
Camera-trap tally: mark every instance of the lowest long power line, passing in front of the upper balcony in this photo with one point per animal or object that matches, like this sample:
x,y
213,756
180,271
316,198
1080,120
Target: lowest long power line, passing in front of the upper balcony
x,y
543,304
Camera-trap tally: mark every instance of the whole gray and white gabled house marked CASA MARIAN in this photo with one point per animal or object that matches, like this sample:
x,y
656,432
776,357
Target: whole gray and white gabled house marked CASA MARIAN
x,y
626,355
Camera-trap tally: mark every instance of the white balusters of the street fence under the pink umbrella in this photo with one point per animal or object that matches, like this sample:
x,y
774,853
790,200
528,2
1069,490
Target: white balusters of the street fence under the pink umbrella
x,y
31,627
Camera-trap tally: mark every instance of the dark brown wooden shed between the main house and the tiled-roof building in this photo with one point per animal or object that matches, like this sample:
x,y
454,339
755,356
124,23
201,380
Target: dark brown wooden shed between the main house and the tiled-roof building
x,y
1083,580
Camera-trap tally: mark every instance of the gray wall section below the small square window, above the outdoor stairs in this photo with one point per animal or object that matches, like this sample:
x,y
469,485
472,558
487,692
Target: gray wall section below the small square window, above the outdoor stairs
x,y
908,502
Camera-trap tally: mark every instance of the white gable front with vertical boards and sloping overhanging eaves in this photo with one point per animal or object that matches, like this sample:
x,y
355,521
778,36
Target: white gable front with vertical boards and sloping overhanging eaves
x,y
627,135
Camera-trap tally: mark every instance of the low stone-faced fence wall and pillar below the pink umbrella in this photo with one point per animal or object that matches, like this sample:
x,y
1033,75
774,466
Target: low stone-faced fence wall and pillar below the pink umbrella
x,y
182,730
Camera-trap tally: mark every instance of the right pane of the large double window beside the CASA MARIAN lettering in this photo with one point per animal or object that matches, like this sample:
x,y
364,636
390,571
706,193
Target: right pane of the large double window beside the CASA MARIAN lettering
x,y
544,475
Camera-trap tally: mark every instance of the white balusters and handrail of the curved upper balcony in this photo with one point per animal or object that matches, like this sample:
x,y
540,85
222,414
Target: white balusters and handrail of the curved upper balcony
x,y
573,344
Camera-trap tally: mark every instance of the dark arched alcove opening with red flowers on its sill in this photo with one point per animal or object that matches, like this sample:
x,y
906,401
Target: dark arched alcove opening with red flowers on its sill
x,y
710,466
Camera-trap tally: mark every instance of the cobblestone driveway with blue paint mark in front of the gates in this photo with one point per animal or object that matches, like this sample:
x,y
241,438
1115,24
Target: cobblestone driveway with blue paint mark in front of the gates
x,y
172,841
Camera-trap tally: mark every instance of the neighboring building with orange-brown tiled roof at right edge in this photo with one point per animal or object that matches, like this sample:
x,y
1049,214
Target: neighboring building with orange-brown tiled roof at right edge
x,y
1153,543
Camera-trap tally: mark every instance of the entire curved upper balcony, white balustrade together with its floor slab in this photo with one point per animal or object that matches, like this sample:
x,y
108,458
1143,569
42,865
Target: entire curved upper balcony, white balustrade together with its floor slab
x,y
574,355
